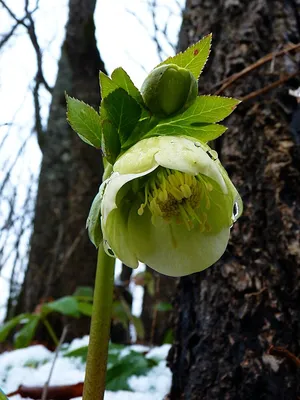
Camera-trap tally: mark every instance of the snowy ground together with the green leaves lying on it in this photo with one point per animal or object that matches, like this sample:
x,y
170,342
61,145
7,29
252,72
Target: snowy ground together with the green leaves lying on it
x,y
134,372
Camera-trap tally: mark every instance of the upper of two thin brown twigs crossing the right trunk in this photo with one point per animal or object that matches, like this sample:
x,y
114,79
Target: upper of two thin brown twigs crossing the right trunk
x,y
269,57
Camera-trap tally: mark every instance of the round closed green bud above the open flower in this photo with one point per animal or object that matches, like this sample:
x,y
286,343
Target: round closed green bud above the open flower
x,y
168,89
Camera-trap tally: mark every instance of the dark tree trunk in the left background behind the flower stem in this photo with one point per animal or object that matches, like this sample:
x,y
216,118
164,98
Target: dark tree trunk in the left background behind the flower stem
x,y
61,255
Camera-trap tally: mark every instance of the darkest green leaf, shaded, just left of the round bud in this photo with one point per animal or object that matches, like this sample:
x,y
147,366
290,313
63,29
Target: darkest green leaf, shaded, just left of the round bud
x,y
123,112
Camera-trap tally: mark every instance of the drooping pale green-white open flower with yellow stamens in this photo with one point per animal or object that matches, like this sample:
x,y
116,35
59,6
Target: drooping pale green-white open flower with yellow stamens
x,y
170,204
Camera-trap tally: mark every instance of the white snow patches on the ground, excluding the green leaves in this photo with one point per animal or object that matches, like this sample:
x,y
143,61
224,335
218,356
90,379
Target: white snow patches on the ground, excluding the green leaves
x,y
31,366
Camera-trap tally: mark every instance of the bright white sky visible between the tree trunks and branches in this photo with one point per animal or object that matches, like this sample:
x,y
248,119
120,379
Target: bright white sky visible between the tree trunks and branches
x,y
122,25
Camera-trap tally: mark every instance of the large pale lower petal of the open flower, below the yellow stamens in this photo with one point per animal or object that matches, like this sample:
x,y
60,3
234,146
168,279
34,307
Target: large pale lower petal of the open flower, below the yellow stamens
x,y
172,250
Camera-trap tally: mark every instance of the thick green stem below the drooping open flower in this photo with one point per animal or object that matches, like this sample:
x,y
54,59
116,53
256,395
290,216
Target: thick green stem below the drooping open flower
x,y
94,384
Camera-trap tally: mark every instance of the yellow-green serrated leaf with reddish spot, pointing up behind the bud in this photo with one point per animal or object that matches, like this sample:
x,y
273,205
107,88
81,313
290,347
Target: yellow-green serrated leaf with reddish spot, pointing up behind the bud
x,y
194,57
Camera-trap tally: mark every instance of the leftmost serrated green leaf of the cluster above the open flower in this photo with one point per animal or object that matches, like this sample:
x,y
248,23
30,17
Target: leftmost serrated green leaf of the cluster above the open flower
x,y
85,121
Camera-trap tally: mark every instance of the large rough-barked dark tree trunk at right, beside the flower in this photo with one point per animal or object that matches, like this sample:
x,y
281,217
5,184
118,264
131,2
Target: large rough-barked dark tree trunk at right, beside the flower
x,y
230,315
